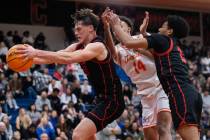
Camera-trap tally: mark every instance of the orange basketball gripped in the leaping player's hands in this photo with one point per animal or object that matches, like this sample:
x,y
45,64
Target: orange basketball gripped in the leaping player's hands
x,y
17,64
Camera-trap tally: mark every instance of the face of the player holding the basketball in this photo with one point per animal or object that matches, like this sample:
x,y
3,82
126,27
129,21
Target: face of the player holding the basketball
x,y
82,31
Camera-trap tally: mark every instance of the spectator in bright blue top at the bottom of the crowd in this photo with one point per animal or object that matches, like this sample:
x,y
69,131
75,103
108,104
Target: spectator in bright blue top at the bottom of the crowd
x,y
45,127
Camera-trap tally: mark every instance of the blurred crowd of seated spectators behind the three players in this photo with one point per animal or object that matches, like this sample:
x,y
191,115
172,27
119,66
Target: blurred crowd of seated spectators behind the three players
x,y
48,101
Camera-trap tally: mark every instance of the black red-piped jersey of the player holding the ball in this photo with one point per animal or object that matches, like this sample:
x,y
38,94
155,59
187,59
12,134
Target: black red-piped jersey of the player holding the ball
x,y
101,74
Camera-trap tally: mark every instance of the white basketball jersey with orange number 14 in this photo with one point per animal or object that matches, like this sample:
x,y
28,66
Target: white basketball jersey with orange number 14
x,y
141,69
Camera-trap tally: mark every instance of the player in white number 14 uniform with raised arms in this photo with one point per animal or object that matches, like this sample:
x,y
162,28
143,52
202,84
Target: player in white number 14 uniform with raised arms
x,y
140,67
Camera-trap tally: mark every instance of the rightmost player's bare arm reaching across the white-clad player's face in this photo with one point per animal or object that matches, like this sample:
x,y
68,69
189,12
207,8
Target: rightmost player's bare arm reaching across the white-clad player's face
x,y
125,38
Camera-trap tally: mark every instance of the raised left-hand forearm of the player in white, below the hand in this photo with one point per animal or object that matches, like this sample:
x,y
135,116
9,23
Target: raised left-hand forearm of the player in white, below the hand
x,y
110,42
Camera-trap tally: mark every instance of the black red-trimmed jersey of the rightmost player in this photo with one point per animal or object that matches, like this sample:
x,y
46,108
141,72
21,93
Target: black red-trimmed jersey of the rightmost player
x,y
170,62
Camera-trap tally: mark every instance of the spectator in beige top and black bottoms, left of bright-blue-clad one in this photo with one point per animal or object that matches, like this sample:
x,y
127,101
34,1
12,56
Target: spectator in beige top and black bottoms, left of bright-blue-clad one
x,y
23,121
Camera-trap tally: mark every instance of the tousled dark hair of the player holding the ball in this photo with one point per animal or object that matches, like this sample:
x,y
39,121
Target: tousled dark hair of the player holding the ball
x,y
87,17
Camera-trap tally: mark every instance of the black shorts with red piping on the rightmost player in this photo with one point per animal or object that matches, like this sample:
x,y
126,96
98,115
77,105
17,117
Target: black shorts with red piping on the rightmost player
x,y
186,106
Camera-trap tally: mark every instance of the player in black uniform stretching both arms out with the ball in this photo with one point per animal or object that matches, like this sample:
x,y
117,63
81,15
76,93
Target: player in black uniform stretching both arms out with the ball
x,y
97,63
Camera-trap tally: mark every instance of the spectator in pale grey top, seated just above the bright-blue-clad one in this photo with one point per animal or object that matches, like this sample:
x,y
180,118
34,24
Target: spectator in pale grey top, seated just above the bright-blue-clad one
x,y
42,100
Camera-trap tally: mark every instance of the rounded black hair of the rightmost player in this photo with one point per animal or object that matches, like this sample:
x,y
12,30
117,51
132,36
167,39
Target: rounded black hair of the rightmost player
x,y
179,25
